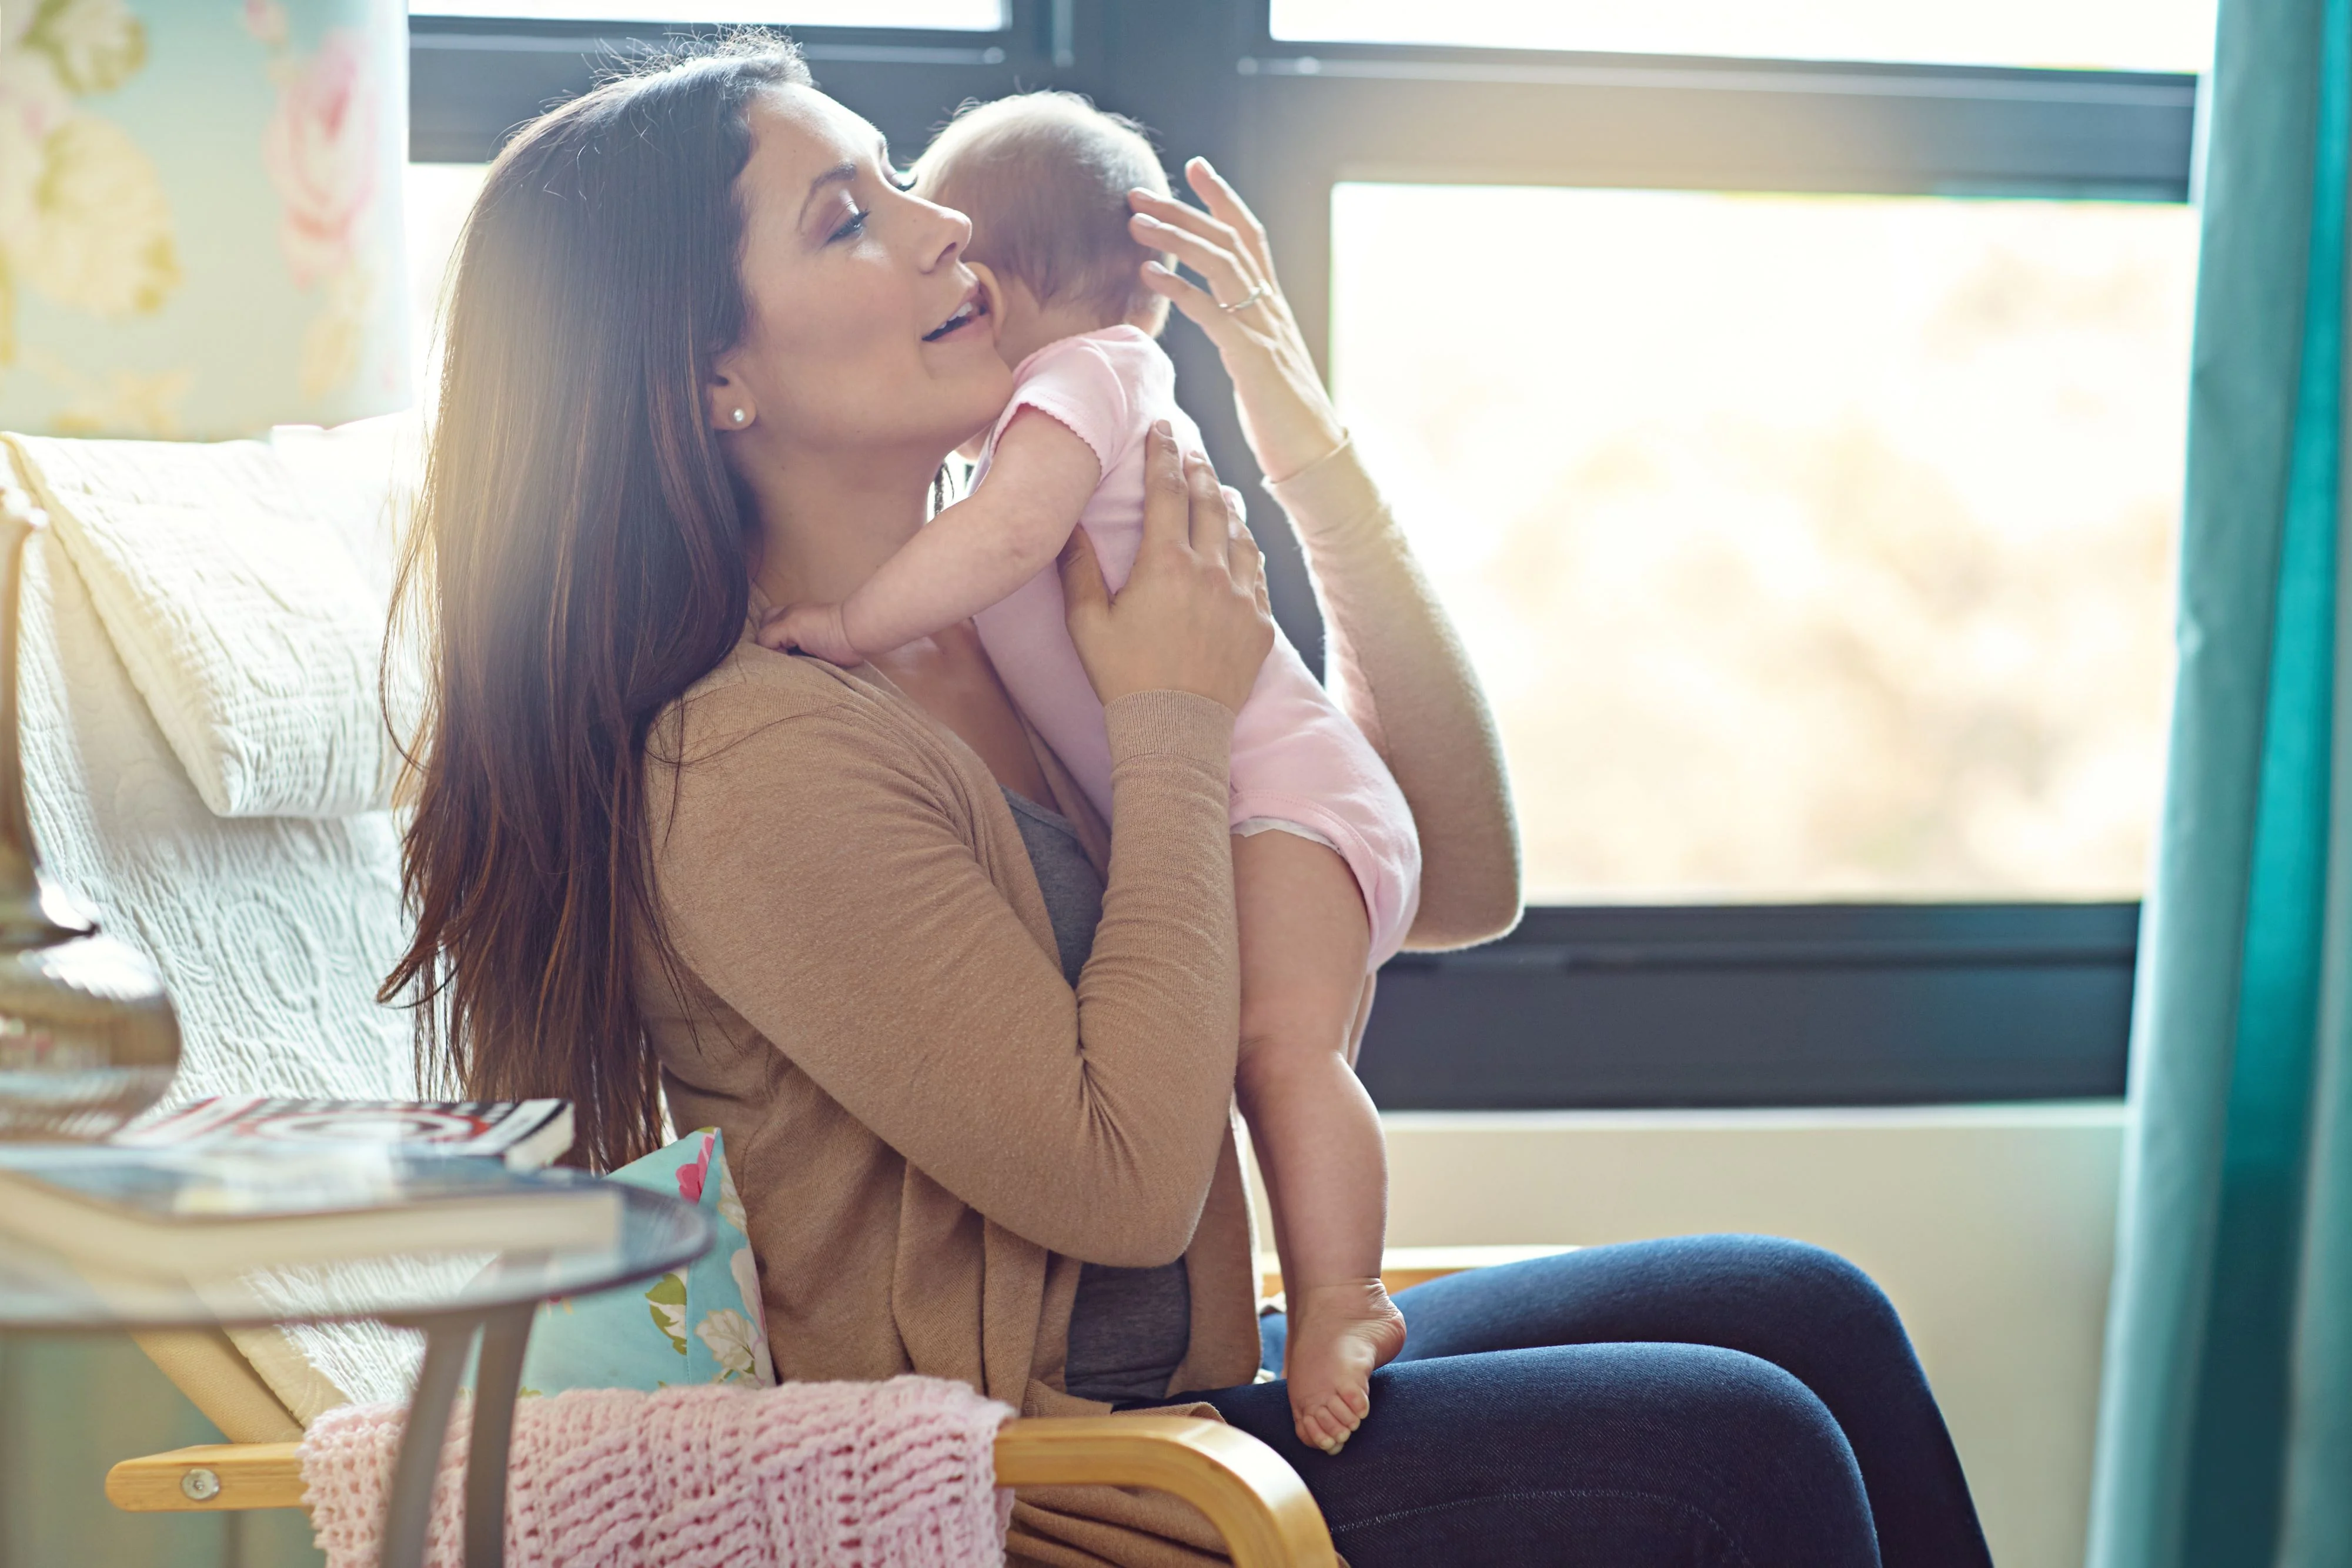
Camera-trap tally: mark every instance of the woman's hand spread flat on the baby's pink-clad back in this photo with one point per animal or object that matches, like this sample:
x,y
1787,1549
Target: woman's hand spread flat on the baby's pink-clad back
x,y
1194,612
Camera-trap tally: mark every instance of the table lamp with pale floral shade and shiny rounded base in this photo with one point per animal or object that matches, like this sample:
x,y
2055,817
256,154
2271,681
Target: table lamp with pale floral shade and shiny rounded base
x,y
199,239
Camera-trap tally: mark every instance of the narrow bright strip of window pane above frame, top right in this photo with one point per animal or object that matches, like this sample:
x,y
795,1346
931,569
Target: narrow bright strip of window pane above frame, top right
x,y
2080,34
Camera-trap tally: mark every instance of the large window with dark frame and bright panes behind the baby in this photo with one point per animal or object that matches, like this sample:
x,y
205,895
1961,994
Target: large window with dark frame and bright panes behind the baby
x,y
1791,408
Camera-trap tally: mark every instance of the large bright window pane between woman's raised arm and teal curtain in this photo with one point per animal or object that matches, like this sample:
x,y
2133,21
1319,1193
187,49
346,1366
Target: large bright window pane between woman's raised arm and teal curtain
x,y
1808,547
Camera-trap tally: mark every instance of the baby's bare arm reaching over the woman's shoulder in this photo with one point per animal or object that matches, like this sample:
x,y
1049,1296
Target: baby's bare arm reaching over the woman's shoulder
x,y
968,558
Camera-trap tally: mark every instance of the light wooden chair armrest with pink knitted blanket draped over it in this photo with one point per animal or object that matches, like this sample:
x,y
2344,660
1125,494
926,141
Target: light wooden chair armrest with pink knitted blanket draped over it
x,y
1255,1501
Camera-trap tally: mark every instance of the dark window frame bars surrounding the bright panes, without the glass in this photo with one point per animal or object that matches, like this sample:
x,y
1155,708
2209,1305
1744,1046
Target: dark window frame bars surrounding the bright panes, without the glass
x,y
1735,1005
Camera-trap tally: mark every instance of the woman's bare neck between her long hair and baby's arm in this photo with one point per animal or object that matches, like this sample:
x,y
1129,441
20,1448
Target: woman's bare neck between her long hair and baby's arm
x,y
829,525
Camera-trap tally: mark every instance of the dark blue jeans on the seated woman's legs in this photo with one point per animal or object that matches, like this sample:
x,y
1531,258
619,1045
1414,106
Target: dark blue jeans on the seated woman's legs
x,y
1706,1400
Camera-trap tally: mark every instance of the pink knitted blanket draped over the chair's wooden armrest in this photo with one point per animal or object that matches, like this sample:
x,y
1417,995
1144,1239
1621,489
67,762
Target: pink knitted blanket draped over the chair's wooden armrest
x,y
846,1475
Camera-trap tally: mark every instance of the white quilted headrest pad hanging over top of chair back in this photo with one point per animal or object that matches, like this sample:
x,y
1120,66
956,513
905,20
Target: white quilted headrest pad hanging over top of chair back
x,y
243,622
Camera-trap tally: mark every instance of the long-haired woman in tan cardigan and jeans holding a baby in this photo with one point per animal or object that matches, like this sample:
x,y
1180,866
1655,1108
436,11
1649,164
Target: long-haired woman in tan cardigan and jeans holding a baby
x,y
973,1054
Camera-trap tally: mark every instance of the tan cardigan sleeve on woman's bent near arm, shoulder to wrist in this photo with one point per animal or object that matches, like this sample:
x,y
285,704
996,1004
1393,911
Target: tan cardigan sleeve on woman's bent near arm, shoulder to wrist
x,y
820,878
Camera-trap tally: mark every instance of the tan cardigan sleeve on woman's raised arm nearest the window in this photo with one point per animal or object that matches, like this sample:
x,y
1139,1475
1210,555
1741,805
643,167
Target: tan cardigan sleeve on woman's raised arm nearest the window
x,y
1401,671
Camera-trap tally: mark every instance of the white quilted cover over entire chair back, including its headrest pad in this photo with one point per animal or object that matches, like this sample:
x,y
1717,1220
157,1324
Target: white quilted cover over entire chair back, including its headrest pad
x,y
276,923
